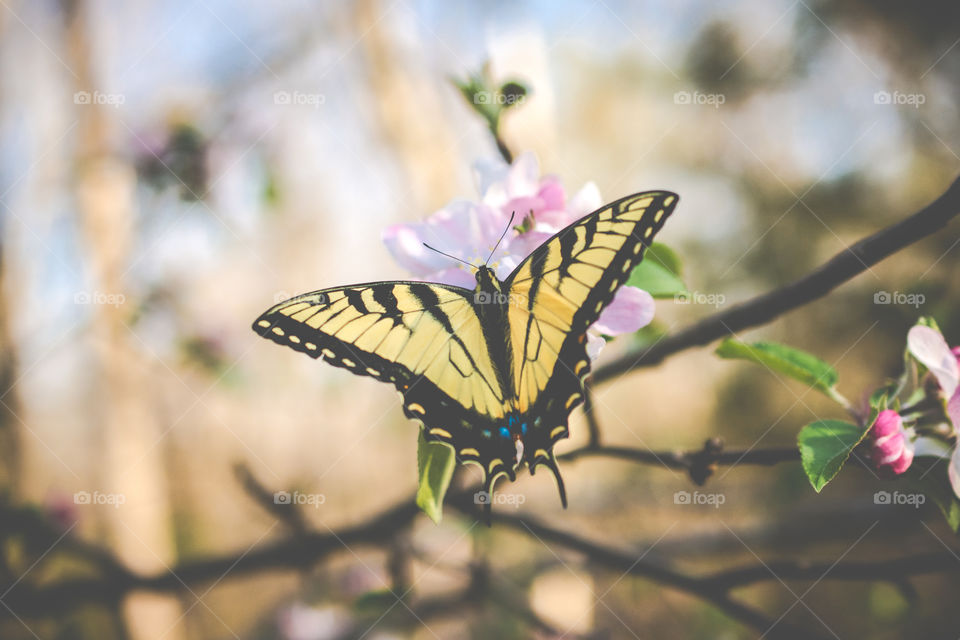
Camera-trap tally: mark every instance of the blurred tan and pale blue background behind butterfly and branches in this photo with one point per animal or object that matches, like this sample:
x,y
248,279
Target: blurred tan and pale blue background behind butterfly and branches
x,y
168,170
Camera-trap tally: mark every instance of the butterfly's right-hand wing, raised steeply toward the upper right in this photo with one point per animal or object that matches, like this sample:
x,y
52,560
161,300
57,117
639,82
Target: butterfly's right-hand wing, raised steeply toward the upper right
x,y
556,293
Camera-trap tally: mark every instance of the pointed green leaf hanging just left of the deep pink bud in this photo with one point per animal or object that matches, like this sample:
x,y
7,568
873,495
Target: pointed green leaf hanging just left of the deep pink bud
x,y
824,446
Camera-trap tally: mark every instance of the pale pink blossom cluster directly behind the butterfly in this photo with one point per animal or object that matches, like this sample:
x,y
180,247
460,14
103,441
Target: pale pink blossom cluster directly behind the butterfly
x,y
469,230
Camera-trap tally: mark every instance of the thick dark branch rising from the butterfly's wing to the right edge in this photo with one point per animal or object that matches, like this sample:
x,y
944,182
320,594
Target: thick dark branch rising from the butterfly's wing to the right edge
x,y
766,307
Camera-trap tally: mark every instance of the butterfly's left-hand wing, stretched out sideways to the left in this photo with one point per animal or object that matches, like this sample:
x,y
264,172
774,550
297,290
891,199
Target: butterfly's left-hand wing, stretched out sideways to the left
x,y
424,338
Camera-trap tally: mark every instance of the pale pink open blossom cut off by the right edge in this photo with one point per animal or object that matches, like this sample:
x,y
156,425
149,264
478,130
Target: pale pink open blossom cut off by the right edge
x,y
931,350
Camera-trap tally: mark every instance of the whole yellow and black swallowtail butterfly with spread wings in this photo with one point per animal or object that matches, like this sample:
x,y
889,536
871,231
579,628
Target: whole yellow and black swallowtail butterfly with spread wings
x,y
493,372
